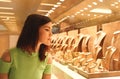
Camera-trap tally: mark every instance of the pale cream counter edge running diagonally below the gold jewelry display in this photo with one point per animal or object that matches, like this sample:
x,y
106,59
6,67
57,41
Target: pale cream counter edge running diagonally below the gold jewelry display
x,y
63,72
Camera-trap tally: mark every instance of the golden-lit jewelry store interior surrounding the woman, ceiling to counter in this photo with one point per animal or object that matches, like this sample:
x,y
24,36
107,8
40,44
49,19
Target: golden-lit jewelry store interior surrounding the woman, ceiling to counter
x,y
86,34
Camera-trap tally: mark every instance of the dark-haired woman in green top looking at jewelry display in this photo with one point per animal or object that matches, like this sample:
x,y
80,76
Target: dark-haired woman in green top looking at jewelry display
x,y
29,60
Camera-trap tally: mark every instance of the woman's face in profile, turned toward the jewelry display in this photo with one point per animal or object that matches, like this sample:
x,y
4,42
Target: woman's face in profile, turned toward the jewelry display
x,y
45,33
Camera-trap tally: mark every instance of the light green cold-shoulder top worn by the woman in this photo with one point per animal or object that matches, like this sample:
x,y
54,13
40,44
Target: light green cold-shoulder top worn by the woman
x,y
24,65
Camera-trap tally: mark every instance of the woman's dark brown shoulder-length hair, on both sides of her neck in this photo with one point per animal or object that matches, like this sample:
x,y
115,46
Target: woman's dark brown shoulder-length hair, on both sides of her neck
x,y
29,36
